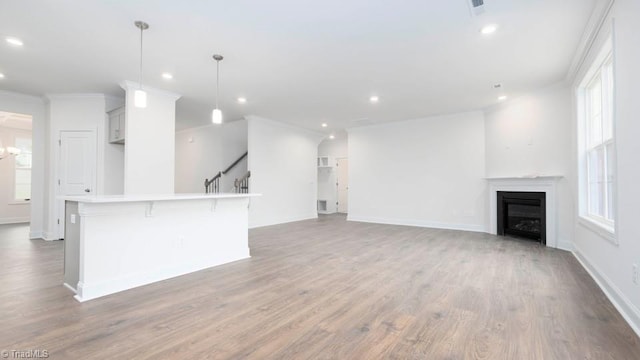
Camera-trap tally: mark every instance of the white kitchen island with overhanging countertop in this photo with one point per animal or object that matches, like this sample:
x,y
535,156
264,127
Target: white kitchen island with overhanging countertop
x,y
115,243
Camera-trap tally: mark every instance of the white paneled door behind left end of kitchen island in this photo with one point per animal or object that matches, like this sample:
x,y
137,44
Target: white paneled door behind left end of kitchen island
x,y
77,168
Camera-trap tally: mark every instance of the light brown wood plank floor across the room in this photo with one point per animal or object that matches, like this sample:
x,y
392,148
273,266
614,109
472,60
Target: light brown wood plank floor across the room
x,y
325,289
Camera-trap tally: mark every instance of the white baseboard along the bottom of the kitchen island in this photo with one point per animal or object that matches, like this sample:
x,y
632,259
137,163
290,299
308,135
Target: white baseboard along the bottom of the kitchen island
x,y
89,291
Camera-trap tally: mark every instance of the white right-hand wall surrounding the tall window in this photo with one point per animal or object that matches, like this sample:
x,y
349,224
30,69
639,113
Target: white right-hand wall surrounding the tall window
x,y
611,264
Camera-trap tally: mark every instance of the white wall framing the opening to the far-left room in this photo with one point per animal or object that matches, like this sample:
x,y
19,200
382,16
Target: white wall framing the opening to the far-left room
x,y
35,106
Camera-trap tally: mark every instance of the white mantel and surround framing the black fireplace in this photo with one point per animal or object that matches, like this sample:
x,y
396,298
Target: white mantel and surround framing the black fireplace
x,y
546,184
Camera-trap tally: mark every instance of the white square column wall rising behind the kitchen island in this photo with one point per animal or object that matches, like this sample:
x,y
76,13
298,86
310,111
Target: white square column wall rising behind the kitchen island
x,y
149,153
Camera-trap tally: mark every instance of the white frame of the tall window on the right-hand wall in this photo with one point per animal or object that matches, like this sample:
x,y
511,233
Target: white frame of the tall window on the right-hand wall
x,y
604,227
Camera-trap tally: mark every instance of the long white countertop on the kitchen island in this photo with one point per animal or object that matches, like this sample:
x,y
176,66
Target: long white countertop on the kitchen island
x,y
152,197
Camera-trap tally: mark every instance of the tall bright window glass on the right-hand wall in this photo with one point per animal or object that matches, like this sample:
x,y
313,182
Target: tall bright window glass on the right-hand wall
x,y
597,150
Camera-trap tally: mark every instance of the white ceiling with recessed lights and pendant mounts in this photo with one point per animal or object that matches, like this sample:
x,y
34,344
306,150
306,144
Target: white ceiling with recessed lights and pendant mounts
x,y
303,62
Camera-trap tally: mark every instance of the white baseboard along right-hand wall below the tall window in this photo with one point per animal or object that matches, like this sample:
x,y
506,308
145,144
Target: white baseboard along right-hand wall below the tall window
x,y
628,311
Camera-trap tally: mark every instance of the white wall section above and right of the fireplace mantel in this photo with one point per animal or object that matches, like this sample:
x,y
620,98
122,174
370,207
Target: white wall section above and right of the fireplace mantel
x,y
531,135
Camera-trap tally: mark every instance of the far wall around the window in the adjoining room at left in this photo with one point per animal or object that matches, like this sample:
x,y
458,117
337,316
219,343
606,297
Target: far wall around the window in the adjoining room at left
x,y
10,210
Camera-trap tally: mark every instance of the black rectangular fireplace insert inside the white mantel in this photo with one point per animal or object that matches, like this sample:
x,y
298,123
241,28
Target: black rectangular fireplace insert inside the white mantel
x,y
522,214
